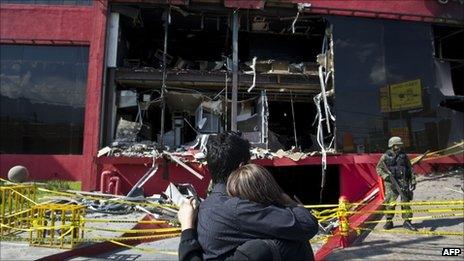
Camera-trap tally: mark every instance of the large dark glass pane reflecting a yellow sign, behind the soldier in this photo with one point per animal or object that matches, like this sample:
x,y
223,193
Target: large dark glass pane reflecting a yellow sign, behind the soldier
x,y
387,85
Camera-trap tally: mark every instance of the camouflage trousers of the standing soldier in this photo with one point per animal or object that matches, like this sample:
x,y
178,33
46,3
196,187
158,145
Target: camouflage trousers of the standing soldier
x,y
391,195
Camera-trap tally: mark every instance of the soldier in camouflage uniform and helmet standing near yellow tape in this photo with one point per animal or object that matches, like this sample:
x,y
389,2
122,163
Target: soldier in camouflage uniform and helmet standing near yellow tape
x,y
393,166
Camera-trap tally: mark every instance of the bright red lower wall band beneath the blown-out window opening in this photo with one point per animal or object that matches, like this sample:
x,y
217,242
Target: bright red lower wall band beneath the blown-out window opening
x,y
357,172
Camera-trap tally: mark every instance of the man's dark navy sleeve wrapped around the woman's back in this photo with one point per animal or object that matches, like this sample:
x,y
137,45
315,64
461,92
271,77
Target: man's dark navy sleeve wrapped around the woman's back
x,y
290,223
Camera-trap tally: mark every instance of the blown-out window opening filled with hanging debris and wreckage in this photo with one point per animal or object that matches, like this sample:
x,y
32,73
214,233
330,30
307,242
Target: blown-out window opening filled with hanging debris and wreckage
x,y
278,77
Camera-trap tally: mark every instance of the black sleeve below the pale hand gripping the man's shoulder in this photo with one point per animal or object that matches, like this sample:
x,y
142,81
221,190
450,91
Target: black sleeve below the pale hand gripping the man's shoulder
x,y
189,248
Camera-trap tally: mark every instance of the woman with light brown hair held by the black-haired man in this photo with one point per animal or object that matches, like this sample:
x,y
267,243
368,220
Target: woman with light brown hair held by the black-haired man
x,y
254,183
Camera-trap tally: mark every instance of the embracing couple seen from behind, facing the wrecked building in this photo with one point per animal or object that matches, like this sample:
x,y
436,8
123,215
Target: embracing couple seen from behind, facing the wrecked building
x,y
246,216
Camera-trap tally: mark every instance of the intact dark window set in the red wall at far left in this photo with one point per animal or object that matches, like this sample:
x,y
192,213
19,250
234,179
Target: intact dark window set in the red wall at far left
x,y
42,102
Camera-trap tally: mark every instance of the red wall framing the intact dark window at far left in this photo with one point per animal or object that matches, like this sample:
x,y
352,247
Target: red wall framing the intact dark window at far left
x,y
70,25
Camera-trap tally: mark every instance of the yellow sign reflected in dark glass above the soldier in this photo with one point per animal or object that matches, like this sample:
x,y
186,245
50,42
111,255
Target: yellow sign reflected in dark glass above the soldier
x,y
406,95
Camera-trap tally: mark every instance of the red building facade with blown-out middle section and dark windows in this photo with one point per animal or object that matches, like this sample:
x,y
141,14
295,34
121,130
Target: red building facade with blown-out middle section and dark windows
x,y
100,95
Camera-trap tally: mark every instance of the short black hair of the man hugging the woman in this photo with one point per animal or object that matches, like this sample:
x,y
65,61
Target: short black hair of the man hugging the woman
x,y
226,151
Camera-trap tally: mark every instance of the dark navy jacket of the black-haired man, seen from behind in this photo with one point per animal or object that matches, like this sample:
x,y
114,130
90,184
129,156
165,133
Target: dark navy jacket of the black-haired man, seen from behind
x,y
225,223
